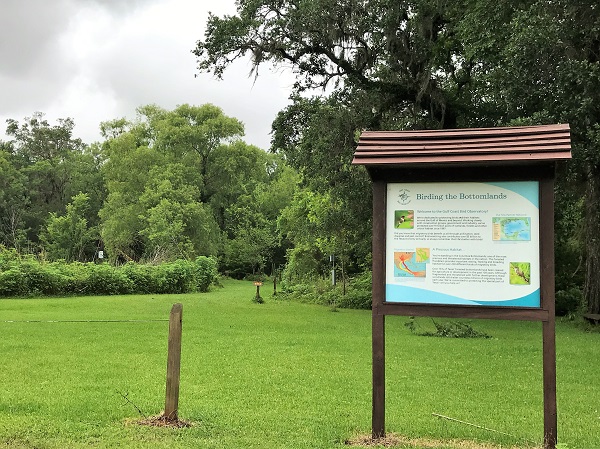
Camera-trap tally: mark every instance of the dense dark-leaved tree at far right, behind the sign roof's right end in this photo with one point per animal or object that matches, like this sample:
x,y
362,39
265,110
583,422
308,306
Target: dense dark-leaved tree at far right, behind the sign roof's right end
x,y
544,67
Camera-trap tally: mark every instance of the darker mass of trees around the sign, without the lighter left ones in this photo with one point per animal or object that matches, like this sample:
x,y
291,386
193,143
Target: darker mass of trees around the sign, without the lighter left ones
x,y
423,64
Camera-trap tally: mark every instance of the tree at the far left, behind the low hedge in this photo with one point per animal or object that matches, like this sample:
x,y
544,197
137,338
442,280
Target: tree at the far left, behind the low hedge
x,y
54,167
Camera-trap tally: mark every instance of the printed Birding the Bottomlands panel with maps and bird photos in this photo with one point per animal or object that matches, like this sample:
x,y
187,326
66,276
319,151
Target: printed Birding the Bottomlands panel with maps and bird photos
x,y
463,243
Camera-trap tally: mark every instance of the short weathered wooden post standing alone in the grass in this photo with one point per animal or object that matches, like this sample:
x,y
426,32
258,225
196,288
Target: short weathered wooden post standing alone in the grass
x,y
173,363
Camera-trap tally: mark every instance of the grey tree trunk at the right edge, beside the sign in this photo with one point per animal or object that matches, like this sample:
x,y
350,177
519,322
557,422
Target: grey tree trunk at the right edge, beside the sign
x,y
592,238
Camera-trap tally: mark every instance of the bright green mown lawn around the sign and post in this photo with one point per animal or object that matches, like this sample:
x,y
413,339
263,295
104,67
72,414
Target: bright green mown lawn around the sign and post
x,y
275,375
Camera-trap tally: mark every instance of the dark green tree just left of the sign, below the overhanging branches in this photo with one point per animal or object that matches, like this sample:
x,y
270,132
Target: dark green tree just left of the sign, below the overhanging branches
x,y
317,137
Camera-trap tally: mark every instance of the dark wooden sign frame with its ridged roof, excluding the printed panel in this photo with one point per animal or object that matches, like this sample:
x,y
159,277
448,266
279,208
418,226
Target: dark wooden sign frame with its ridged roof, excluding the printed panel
x,y
485,155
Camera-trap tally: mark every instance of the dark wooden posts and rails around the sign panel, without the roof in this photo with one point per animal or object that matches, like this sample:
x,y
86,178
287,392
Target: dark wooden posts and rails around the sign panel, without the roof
x,y
544,175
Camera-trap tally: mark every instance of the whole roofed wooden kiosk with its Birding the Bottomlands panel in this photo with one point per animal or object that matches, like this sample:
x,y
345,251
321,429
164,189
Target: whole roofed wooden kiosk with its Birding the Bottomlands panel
x,y
463,227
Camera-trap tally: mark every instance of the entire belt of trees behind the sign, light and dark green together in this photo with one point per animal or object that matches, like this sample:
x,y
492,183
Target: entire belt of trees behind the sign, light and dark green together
x,y
182,183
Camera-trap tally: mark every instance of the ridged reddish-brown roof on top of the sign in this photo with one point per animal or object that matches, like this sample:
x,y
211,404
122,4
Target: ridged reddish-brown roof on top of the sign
x,y
519,144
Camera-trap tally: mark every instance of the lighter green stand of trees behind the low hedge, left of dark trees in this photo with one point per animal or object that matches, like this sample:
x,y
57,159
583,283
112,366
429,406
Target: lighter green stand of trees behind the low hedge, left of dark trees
x,y
172,185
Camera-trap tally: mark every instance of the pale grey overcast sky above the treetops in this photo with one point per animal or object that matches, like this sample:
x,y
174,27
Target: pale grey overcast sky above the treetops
x,y
97,60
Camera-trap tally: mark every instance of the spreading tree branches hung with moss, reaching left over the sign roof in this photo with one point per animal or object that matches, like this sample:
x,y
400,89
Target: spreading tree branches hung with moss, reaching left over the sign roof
x,y
399,52
